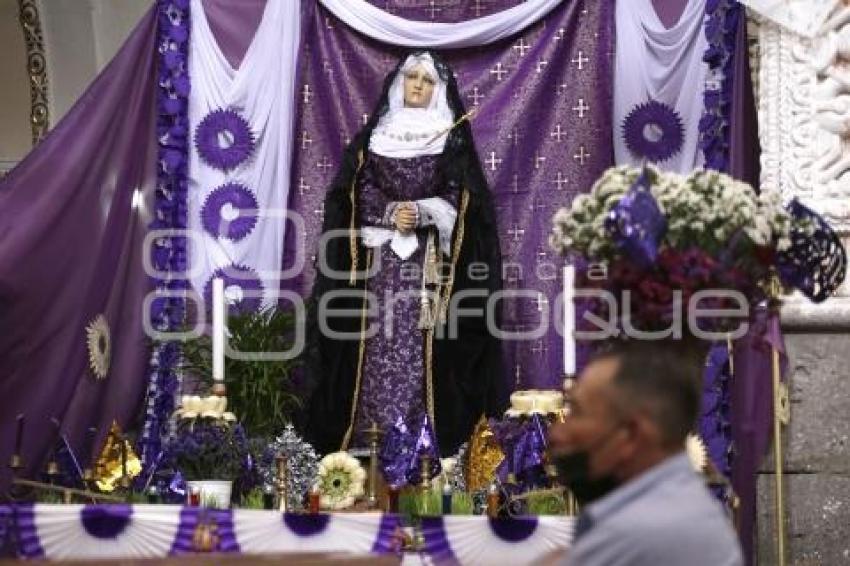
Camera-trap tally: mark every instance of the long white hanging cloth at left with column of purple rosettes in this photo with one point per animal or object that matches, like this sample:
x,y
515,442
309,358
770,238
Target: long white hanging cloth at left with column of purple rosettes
x,y
262,91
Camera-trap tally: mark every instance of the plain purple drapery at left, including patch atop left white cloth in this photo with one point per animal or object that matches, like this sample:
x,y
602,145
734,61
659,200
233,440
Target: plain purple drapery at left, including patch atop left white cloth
x,y
71,247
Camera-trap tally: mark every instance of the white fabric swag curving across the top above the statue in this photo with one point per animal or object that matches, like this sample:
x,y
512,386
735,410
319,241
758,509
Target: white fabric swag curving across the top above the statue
x,y
389,28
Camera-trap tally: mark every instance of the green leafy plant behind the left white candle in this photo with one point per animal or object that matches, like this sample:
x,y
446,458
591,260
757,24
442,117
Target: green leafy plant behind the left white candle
x,y
260,392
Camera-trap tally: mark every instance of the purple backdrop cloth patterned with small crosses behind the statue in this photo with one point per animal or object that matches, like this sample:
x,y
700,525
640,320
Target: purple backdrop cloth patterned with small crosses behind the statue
x,y
542,134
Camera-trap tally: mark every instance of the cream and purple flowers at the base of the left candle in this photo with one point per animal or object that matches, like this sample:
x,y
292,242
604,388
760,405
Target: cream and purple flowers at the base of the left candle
x,y
208,444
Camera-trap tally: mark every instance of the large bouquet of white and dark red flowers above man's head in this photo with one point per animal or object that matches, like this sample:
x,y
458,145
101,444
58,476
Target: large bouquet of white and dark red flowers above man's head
x,y
657,233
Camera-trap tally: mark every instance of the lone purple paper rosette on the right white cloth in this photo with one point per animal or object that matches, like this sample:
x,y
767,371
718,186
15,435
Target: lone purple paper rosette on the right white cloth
x,y
653,131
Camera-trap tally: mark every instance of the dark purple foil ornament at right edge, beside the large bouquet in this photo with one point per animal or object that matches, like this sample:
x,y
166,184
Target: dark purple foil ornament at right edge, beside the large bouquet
x,y
816,263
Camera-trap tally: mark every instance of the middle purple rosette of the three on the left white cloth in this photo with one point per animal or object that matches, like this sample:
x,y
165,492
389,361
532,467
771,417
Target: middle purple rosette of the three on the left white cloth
x,y
245,205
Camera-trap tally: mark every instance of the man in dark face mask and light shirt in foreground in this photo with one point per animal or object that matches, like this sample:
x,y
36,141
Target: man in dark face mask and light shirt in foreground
x,y
621,452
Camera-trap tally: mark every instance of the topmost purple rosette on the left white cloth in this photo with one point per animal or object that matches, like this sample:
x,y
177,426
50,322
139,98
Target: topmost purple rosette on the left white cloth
x,y
224,139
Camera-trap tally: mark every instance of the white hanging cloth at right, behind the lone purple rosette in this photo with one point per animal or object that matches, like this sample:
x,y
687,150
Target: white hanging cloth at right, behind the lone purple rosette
x,y
665,65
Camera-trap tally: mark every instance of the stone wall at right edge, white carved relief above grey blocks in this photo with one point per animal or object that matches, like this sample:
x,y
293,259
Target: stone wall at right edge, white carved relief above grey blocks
x,y
803,61
